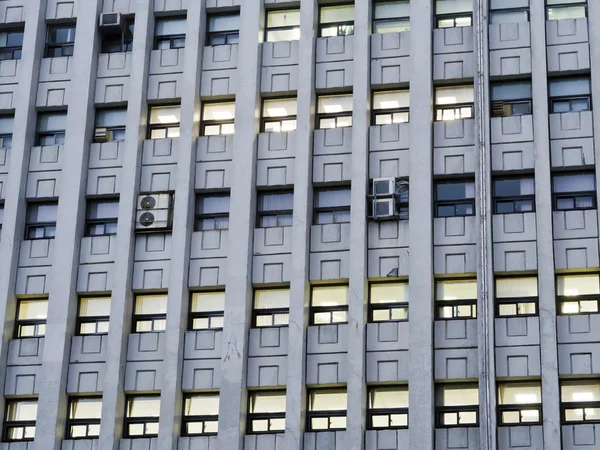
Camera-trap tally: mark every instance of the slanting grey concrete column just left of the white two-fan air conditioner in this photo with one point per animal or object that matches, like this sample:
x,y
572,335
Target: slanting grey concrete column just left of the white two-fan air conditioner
x,y
113,406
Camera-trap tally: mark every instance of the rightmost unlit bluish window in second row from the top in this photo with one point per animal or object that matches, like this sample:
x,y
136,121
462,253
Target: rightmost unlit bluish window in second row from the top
x,y
570,95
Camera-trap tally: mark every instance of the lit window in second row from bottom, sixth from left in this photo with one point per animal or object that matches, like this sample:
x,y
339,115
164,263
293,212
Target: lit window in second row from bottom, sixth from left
x,y
329,304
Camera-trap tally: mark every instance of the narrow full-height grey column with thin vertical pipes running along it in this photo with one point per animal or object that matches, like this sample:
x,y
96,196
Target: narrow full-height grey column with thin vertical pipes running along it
x,y
485,268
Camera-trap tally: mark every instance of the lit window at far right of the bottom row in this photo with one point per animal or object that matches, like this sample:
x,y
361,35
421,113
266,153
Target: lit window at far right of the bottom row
x,y
580,401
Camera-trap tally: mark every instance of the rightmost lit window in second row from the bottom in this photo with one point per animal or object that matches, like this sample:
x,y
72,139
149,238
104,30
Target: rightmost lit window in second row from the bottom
x,y
578,294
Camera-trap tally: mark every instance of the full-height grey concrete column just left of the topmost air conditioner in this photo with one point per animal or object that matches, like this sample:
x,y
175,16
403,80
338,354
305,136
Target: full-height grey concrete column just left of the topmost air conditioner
x,y
62,304
